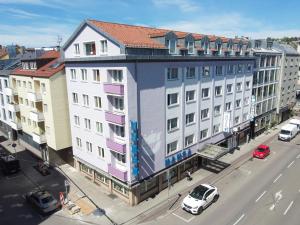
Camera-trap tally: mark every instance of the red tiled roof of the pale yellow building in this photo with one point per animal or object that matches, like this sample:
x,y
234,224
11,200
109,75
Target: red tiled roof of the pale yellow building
x,y
47,70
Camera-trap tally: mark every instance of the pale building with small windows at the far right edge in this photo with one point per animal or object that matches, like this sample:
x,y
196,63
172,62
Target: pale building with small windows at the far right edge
x,y
287,81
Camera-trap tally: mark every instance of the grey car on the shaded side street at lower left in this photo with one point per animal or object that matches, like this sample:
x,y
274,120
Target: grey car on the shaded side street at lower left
x,y
43,201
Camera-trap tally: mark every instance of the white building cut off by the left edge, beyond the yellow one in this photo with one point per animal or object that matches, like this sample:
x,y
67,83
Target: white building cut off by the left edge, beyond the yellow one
x,y
6,66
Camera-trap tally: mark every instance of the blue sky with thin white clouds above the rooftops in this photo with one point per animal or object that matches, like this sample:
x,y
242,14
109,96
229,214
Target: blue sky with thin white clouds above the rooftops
x,y
37,23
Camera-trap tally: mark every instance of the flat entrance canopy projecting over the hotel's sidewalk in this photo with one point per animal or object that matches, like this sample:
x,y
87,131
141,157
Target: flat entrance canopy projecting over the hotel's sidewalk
x,y
212,152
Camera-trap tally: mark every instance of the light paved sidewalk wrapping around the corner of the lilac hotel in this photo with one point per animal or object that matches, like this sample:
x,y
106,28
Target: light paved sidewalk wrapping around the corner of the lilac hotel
x,y
119,212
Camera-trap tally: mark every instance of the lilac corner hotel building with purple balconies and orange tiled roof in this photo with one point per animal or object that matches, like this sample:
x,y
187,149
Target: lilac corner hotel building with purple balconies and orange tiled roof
x,y
145,102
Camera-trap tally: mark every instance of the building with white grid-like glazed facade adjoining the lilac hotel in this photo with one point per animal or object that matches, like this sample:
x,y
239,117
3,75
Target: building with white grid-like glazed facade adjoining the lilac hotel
x,y
265,85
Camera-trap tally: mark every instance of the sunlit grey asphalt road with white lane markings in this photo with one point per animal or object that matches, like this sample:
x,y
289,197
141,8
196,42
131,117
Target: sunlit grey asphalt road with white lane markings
x,y
260,192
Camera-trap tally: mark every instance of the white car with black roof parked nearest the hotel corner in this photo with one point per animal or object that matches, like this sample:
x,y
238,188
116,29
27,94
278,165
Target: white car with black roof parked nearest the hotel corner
x,y
200,198
